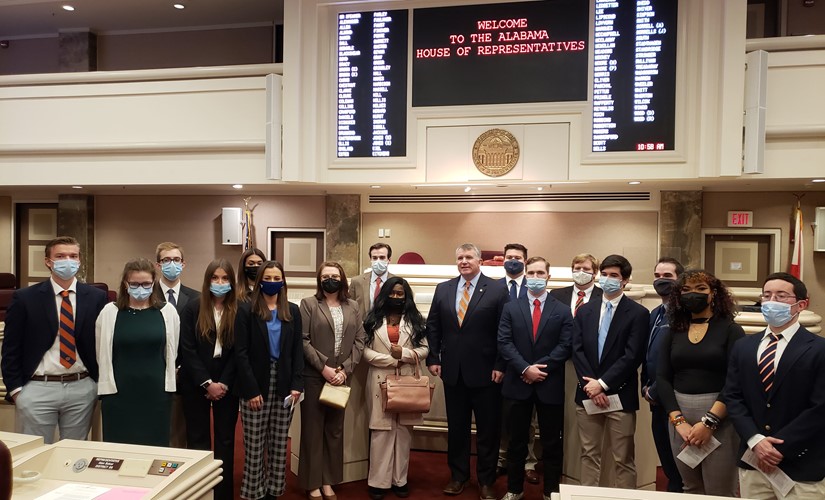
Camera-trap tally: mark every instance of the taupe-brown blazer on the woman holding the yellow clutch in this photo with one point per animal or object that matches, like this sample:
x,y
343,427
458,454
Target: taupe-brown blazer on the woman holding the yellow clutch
x,y
319,338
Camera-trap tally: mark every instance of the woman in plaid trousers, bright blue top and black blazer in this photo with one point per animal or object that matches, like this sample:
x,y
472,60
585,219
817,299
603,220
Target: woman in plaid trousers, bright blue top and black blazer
x,y
270,380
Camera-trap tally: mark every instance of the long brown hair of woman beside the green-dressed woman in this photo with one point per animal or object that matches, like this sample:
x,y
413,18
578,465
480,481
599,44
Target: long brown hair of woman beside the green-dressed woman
x,y
206,316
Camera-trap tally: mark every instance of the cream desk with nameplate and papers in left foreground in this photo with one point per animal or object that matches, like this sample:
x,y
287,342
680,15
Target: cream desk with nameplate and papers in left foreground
x,y
116,471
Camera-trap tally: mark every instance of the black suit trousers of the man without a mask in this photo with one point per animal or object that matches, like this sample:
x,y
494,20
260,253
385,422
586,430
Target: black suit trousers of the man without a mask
x,y
462,404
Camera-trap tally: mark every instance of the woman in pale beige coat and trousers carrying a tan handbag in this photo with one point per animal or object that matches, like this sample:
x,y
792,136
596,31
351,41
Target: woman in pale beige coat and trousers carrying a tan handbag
x,y
396,333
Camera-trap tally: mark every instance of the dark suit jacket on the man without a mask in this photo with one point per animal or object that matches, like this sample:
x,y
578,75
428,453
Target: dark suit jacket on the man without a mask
x,y
472,348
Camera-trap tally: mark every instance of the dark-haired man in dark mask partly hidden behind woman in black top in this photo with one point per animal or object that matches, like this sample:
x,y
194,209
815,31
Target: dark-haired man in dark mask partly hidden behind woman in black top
x,y
664,279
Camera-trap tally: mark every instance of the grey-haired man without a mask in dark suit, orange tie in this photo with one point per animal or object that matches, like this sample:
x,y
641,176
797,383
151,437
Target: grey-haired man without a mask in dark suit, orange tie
x,y
462,330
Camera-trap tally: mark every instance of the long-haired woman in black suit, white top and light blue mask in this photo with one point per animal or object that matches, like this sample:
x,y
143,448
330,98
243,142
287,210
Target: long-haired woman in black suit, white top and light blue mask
x,y
207,373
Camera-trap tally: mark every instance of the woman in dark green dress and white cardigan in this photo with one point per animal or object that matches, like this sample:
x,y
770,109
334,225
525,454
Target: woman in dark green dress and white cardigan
x,y
137,341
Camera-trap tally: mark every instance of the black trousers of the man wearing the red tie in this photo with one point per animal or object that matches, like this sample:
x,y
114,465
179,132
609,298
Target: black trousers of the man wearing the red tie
x,y
551,428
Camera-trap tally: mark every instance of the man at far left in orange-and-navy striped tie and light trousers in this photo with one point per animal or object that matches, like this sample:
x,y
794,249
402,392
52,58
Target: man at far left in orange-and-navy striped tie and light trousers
x,y
49,363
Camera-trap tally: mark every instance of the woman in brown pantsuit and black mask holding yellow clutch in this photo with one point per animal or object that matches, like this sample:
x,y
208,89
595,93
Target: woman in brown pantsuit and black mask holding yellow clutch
x,y
333,332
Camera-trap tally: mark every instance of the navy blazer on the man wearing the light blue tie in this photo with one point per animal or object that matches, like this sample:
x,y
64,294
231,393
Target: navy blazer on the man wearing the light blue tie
x,y
624,349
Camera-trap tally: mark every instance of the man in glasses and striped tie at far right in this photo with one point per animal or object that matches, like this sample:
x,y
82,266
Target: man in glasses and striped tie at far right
x,y
775,395
